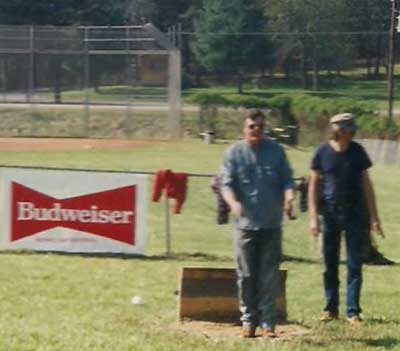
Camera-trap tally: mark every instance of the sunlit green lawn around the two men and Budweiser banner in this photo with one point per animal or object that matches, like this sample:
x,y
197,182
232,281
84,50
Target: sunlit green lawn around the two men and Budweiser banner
x,y
66,302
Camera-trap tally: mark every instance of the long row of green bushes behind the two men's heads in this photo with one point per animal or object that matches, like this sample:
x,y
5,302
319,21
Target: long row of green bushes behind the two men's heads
x,y
311,113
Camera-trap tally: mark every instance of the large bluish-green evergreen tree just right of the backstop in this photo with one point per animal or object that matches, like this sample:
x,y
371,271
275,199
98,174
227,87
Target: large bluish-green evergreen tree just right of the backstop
x,y
223,45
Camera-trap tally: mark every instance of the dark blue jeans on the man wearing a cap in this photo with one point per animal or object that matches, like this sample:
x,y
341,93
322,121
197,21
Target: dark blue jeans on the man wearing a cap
x,y
355,227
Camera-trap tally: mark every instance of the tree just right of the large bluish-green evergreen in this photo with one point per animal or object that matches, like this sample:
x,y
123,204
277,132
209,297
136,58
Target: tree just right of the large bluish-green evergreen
x,y
313,51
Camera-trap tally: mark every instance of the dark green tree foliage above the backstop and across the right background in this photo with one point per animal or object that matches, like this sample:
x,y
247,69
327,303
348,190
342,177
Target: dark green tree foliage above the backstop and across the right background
x,y
222,45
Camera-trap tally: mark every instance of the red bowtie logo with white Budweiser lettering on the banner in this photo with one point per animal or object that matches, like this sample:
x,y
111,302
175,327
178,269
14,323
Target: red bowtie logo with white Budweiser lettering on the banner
x,y
110,214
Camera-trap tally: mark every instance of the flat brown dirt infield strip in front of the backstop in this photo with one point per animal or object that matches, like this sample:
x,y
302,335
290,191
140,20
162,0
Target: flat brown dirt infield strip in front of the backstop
x,y
39,144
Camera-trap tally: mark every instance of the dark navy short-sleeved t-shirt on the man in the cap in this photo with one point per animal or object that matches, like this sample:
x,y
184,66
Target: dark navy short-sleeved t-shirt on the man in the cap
x,y
341,175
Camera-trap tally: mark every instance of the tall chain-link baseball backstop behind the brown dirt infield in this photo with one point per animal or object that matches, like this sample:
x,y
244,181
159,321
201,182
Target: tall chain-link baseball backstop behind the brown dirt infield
x,y
88,82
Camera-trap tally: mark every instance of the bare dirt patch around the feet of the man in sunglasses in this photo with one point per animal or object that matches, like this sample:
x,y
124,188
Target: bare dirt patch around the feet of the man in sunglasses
x,y
223,331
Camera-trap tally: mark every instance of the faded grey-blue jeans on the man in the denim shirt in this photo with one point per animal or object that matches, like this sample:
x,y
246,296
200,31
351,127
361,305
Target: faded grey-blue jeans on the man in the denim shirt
x,y
258,255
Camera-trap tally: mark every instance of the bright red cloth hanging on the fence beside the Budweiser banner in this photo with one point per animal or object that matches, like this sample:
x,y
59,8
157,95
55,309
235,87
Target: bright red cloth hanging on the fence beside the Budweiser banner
x,y
175,185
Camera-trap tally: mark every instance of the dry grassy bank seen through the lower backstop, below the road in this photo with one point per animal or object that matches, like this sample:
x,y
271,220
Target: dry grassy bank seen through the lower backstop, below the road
x,y
122,123
